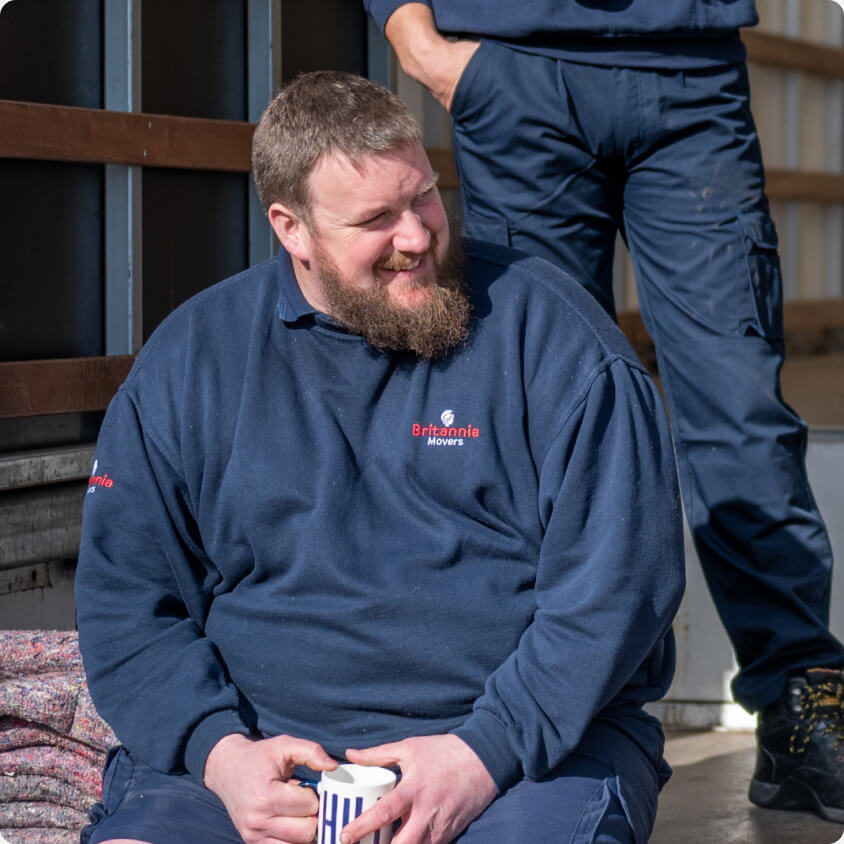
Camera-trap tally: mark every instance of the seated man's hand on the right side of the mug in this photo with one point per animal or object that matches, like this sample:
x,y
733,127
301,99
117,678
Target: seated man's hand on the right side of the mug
x,y
443,788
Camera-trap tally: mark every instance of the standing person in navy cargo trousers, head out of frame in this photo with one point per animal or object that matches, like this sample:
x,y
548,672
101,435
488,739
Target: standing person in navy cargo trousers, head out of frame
x,y
574,120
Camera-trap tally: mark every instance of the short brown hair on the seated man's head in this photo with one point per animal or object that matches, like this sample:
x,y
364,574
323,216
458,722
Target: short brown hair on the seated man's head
x,y
318,114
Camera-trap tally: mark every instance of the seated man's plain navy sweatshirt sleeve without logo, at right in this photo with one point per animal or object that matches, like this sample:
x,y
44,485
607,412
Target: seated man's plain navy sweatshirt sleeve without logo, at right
x,y
609,580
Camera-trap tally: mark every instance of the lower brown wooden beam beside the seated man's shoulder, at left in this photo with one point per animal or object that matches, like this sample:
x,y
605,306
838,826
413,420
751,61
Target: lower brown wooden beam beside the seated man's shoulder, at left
x,y
68,385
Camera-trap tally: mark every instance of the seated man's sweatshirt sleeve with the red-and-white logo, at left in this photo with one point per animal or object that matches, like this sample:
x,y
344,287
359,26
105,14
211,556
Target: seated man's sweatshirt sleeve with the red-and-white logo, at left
x,y
143,586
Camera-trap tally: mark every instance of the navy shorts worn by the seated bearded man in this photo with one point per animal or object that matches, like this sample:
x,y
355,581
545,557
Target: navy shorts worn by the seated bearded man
x,y
604,793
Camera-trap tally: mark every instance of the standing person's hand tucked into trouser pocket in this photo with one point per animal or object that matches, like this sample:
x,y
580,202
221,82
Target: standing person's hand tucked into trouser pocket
x,y
424,54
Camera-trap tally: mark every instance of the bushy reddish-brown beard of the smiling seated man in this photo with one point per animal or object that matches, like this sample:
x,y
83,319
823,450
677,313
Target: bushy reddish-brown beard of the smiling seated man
x,y
430,329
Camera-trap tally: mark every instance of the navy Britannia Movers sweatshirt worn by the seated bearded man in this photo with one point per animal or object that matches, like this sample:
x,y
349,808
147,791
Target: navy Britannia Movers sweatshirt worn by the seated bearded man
x,y
288,531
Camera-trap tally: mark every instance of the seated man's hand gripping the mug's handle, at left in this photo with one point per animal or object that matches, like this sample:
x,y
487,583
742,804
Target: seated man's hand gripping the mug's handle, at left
x,y
252,780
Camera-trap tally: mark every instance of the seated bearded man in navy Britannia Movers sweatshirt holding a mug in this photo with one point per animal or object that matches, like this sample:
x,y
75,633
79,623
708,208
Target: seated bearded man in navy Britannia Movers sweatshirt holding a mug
x,y
362,495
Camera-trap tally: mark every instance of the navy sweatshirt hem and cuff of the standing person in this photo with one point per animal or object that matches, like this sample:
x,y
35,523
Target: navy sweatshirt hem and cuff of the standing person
x,y
639,33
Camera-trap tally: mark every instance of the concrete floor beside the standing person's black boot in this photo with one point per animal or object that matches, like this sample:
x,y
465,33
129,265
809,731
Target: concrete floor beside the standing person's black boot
x,y
705,802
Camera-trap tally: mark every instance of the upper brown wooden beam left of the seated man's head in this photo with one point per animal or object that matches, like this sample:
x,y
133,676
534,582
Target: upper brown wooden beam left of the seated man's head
x,y
65,133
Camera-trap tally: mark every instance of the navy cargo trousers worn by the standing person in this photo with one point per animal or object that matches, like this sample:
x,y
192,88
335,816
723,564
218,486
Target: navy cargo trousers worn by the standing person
x,y
554,158
